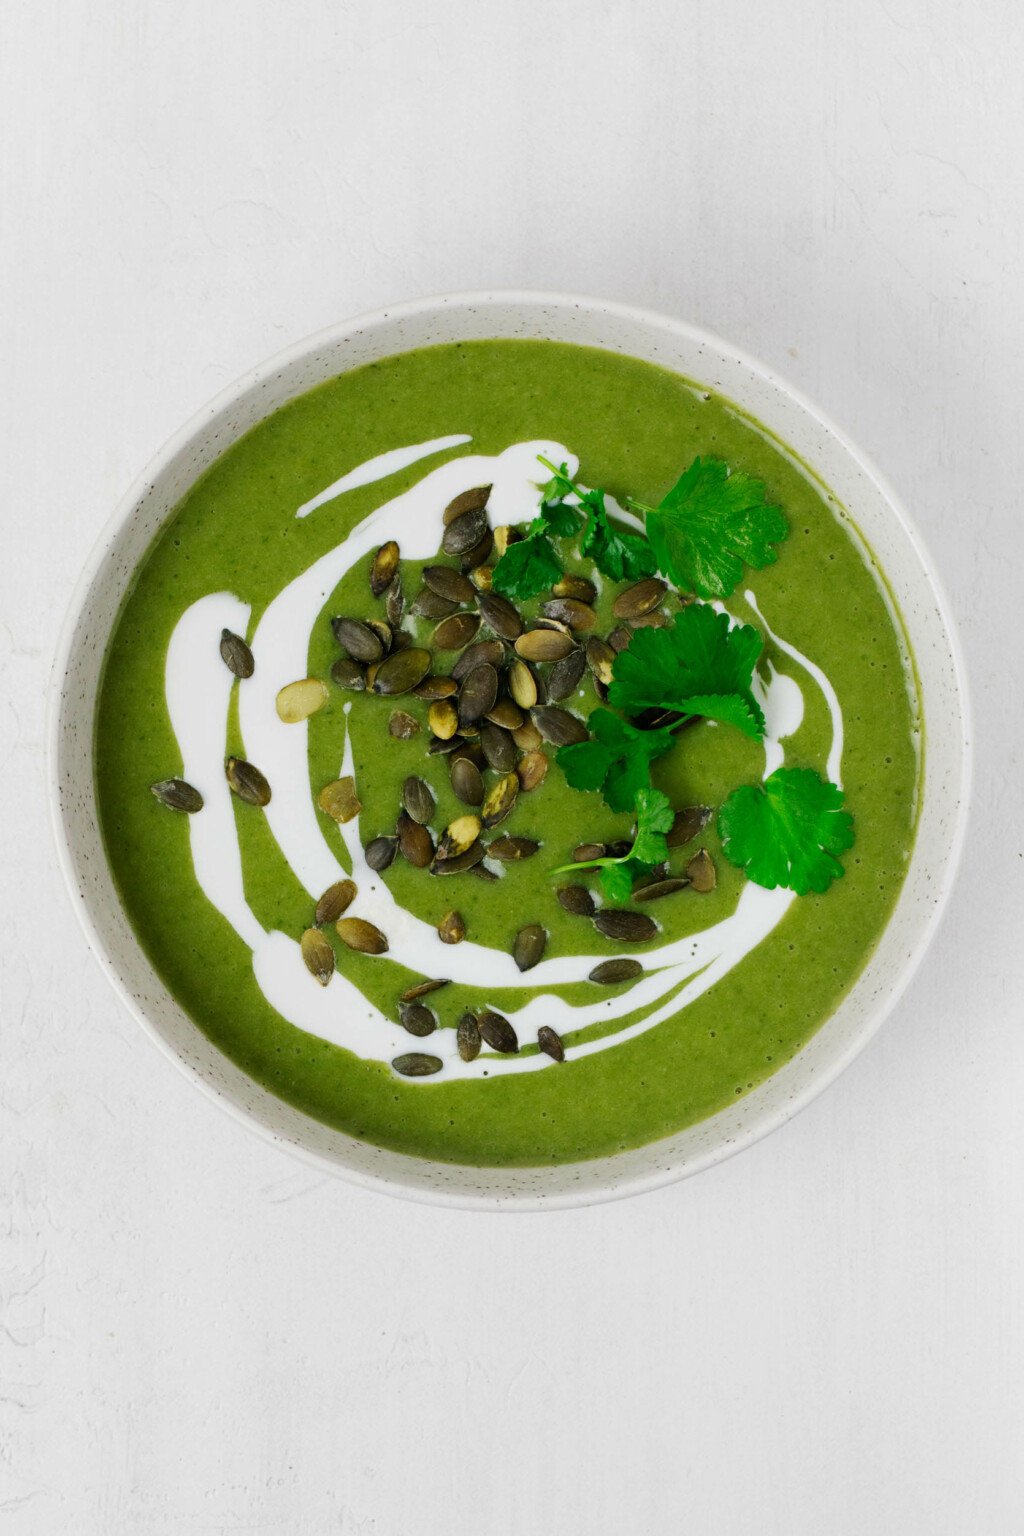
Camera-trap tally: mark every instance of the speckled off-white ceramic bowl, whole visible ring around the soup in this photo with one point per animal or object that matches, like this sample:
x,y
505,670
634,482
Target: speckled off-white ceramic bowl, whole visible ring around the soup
x,y
860,494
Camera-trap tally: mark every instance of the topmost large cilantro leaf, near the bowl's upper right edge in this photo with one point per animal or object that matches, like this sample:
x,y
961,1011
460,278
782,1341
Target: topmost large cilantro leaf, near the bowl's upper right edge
x,y
710,526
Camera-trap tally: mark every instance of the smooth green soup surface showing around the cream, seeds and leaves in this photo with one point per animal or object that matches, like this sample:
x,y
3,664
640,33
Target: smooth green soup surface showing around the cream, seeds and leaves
x,y
633,429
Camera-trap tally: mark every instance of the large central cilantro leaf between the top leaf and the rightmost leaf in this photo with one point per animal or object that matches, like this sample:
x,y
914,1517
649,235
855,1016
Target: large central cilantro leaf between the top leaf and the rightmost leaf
x,y
699,666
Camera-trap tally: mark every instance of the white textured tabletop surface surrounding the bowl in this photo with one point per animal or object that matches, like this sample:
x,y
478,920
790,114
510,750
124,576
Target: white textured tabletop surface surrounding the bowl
x,y
821,1339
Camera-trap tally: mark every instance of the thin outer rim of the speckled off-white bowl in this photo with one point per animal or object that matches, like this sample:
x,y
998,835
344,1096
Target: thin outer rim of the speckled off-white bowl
x,y
323,339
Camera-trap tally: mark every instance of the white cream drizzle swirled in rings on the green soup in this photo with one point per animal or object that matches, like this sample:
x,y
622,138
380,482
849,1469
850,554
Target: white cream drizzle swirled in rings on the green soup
x,y
199,694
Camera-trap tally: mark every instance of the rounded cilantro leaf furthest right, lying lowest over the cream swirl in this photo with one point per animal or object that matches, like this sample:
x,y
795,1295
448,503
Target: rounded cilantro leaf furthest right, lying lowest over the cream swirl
x,y
788,830
